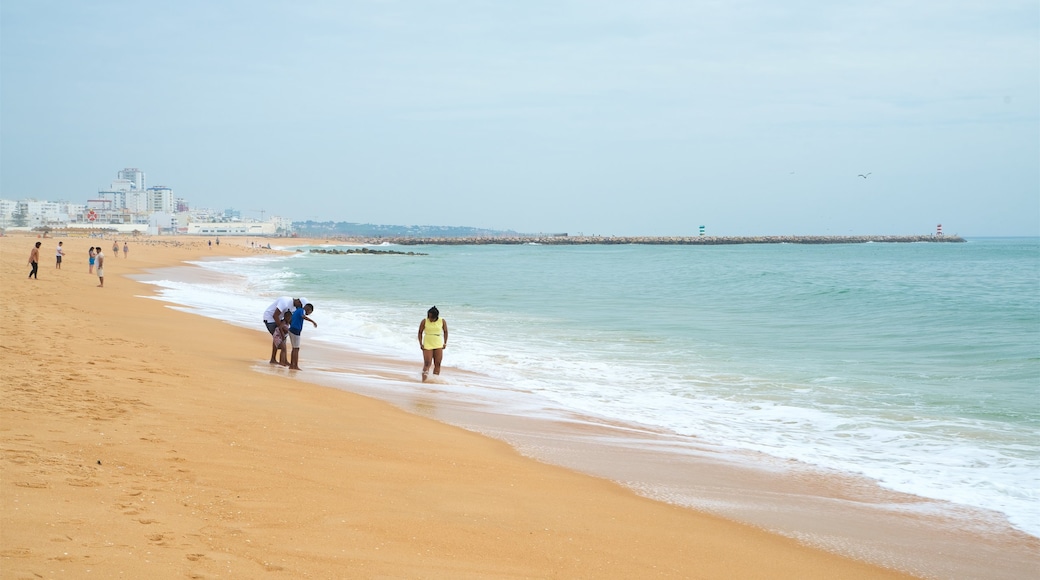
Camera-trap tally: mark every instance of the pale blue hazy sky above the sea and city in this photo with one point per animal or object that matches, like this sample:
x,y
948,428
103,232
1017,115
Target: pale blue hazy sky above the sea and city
x,y
607,117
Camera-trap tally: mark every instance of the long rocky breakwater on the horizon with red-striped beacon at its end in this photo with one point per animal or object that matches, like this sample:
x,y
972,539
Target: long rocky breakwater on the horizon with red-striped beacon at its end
x,y
666,241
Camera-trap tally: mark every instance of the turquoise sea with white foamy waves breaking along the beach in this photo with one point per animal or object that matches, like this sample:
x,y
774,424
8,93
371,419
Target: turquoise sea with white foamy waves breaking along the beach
x,y
917,365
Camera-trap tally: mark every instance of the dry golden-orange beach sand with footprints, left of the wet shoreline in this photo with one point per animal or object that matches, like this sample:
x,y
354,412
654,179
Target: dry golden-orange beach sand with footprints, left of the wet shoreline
x,y
140,441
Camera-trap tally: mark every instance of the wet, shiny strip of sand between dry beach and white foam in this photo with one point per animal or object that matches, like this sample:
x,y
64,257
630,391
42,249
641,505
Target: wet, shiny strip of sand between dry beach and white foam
x,y
846,514
